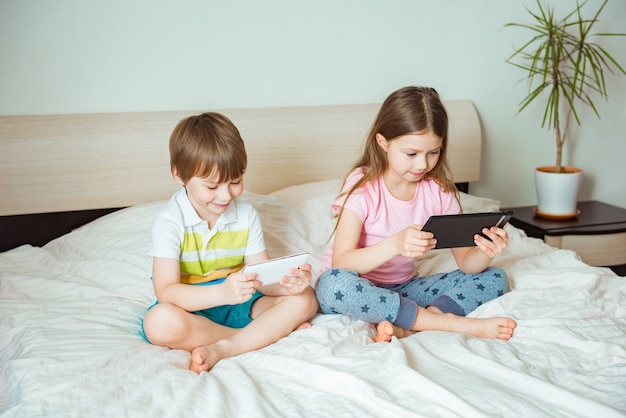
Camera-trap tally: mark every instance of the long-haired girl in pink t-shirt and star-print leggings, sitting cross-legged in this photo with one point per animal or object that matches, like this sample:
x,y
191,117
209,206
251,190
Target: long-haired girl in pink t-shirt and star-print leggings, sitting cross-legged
x,y
398,182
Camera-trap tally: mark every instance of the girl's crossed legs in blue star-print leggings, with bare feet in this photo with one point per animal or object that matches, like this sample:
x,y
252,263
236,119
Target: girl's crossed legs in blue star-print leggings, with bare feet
x,y
438,302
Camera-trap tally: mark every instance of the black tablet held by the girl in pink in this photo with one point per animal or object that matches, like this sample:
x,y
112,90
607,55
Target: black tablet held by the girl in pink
x,y
458,230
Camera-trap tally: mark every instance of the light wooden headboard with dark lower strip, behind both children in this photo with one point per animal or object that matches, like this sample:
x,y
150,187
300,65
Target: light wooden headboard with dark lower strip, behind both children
x,y
58,172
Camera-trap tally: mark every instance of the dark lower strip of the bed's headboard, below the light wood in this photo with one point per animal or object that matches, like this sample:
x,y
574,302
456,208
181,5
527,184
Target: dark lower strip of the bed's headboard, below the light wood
x,y
40,228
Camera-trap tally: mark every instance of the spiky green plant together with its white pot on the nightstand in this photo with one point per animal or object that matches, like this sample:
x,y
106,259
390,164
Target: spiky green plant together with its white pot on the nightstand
x,y
565,69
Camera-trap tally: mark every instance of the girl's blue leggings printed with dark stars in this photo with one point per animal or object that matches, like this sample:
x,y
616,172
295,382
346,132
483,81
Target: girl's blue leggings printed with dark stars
x,y
345,292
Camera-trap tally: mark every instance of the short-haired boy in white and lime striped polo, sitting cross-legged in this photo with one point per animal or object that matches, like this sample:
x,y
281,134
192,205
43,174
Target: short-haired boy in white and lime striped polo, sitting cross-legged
x,y
200,241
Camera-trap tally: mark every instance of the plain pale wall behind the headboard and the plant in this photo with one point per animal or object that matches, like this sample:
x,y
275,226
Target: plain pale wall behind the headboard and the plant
x,y
75,56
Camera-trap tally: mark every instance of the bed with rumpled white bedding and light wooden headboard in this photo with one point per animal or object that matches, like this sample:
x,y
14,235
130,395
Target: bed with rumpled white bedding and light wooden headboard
x,y
71,310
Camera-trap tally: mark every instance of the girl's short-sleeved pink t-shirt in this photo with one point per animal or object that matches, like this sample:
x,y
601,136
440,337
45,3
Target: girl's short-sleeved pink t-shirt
x,y
383,215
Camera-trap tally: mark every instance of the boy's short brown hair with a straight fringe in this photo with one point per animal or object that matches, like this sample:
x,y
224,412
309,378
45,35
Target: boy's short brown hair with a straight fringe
x,y
205,144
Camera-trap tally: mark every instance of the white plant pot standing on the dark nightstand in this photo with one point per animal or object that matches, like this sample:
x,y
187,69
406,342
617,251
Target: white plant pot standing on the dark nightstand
x,y
557,193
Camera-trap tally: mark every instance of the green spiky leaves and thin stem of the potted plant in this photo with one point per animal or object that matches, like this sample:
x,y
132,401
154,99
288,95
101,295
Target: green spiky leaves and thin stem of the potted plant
x,y
564,63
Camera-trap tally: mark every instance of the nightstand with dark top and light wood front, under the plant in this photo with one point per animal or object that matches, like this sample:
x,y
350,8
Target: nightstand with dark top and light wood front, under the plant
x,y
597,234
